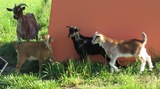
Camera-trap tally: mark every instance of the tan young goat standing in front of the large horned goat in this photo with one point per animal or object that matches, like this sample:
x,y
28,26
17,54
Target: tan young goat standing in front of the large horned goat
x,y
41,51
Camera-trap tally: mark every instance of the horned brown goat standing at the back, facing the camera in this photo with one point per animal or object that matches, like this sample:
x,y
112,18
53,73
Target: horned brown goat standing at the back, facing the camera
x,y
27,27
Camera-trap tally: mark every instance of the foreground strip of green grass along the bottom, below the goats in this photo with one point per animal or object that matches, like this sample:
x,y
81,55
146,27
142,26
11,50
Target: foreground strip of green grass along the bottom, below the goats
x,y
80,75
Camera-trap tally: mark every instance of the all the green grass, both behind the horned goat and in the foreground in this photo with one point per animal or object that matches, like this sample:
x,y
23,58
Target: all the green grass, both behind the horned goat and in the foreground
x,y
73,74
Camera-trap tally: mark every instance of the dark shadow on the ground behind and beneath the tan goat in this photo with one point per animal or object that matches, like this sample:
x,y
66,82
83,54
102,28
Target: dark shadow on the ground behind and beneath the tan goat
x,y
8,52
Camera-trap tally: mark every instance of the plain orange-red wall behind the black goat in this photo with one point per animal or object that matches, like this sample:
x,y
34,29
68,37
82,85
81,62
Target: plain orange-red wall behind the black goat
x,y
118,19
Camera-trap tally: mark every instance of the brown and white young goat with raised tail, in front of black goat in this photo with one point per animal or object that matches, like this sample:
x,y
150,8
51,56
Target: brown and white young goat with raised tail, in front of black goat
x,y
120,48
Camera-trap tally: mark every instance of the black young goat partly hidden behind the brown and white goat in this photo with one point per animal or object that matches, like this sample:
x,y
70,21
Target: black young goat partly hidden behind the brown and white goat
x,y
84,46
